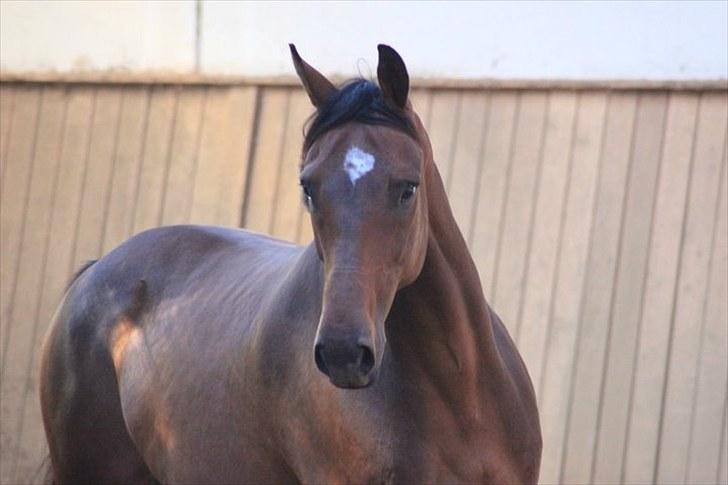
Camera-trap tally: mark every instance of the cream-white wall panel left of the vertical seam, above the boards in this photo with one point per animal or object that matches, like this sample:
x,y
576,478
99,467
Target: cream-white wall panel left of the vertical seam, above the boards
x,y
97,35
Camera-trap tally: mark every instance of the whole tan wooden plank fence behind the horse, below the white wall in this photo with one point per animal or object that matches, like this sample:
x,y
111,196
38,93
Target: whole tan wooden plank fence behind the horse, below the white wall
x,y
597,219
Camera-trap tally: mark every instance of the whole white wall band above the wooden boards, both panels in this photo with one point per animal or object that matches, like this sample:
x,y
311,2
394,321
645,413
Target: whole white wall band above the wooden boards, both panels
x,y
557,40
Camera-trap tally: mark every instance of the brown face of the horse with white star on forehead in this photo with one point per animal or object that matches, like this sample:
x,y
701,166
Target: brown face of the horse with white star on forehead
x,y
364,187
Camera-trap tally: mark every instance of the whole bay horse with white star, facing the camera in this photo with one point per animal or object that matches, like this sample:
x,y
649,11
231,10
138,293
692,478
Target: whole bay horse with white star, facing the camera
x,y
213,355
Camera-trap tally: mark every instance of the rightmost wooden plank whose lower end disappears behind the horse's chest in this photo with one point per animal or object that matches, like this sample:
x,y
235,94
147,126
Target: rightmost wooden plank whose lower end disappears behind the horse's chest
x,y
533,322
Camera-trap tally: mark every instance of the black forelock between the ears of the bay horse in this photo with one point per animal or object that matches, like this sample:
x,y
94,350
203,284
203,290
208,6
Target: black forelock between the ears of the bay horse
x,y
357,100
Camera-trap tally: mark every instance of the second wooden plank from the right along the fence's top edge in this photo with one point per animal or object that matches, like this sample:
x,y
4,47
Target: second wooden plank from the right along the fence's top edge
x,y
640,441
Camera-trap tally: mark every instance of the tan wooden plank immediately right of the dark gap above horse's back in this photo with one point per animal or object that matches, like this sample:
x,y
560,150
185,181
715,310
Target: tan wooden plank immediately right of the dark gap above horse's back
x,y
260,203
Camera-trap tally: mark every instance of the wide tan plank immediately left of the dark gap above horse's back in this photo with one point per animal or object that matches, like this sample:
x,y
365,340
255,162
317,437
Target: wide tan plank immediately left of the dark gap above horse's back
x,y
222,168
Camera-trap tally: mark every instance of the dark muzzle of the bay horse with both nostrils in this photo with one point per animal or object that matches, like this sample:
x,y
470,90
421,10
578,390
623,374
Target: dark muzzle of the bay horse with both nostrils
x,y
349,364
